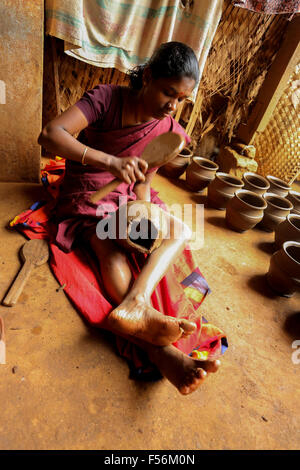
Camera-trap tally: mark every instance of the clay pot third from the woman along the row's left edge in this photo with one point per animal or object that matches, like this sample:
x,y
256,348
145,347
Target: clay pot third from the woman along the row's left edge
x,y
222,189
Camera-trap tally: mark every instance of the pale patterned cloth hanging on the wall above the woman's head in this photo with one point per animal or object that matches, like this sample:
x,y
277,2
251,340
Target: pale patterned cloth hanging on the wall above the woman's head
x,y
109,33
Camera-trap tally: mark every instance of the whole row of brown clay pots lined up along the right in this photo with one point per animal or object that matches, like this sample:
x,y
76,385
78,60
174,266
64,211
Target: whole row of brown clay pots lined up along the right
x,y
250,206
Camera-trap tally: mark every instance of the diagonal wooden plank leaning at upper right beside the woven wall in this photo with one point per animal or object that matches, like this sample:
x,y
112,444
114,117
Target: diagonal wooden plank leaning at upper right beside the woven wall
x,y
274,84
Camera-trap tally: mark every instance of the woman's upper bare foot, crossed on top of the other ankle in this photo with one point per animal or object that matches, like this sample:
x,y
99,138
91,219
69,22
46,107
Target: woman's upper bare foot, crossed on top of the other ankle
x,y
135,317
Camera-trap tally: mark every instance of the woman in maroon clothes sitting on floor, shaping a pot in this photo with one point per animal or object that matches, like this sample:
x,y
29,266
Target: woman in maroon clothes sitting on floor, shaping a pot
x,y
115,124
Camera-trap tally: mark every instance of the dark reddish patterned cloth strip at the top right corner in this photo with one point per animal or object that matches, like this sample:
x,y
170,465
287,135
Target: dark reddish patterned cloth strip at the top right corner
x,y
270,6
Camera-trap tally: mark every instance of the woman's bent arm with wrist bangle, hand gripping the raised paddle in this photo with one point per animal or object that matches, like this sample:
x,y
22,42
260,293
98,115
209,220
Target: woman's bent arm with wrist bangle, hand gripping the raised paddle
x,y
57,137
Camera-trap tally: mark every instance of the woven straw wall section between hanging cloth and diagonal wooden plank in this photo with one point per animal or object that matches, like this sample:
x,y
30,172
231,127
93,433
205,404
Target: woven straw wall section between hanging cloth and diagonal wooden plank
x,y
242,52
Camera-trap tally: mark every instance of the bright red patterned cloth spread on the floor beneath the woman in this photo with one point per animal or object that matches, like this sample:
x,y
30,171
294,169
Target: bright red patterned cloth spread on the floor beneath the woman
x,y
179,293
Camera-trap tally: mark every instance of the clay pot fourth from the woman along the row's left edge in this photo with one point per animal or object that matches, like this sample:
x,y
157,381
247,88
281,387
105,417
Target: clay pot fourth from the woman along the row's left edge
x,y
244,210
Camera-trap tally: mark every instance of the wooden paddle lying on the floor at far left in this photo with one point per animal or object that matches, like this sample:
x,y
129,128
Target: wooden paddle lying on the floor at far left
x,y
34,253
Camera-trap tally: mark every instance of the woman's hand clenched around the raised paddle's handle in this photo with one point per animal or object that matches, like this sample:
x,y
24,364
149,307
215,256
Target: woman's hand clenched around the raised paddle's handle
x,y
128,169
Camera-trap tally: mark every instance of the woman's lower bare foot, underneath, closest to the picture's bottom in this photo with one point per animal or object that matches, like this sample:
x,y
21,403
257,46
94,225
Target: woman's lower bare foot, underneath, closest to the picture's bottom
x,y
186,373
